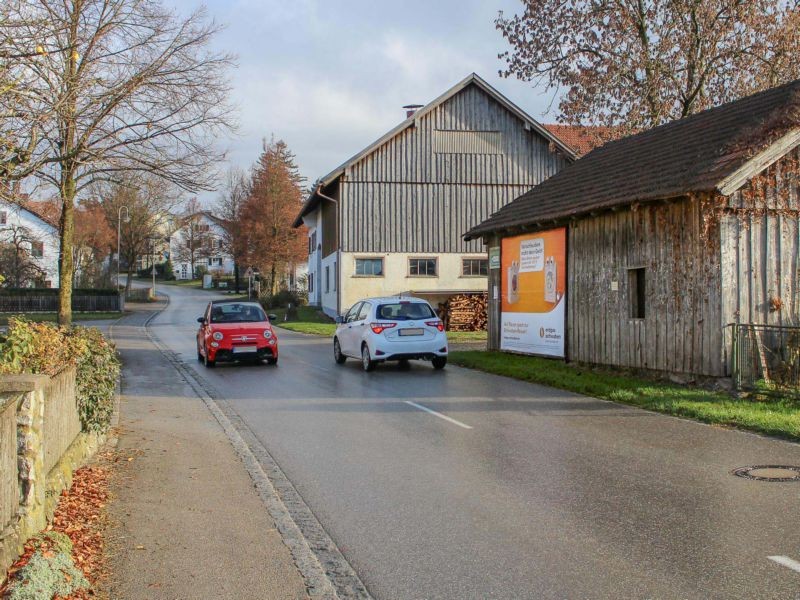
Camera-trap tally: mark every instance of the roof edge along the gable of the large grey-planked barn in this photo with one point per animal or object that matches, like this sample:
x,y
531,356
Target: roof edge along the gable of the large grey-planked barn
x,y
472,79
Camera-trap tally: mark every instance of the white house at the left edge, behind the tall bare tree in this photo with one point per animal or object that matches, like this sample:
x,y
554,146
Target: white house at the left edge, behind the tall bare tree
x,y
32,232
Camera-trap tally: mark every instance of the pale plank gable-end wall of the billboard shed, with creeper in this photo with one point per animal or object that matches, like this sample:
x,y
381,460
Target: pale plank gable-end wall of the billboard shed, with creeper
x,y
761,248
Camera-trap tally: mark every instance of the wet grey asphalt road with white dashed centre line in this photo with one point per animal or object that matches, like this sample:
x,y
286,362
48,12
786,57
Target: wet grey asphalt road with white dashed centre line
x,y
526,492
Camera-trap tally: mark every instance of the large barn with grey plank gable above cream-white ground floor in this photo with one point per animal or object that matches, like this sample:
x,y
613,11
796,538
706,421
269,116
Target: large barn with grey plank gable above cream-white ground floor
x,y
390,220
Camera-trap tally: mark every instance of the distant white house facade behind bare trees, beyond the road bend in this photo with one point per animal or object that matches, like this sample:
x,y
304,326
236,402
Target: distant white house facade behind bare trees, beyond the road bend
x,y
215,260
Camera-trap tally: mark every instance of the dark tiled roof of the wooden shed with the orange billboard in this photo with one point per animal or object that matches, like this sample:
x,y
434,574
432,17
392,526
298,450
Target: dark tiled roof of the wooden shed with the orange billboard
x,y
717,149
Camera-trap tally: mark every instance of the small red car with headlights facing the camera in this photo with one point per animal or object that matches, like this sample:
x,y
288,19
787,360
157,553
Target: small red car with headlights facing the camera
x,y
234,330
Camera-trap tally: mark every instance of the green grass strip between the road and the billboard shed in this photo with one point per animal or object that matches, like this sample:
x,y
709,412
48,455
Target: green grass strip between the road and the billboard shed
x,y
778,417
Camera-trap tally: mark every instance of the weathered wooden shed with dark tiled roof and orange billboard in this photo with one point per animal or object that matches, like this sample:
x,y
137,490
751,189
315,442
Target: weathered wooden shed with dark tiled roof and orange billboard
x,y
677,241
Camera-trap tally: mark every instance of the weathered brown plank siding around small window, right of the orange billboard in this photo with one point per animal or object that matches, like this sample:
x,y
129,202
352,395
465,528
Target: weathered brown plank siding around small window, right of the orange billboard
x,y
679,249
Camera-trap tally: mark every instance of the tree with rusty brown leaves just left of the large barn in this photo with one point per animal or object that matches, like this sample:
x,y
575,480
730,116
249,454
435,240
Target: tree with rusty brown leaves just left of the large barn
x,y
267,240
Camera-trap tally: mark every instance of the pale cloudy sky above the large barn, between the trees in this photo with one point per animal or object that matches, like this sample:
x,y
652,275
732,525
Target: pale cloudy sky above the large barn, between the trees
x,y
331,76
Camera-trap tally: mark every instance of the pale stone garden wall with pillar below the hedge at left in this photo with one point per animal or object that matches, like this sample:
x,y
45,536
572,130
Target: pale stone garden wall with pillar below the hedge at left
x,y
40,446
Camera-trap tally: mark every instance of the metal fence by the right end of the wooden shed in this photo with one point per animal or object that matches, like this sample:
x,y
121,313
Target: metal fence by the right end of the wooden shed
x,y
766,358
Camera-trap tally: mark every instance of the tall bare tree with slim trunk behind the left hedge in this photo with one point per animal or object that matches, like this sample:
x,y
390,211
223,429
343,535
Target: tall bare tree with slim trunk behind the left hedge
x,y
129,87
